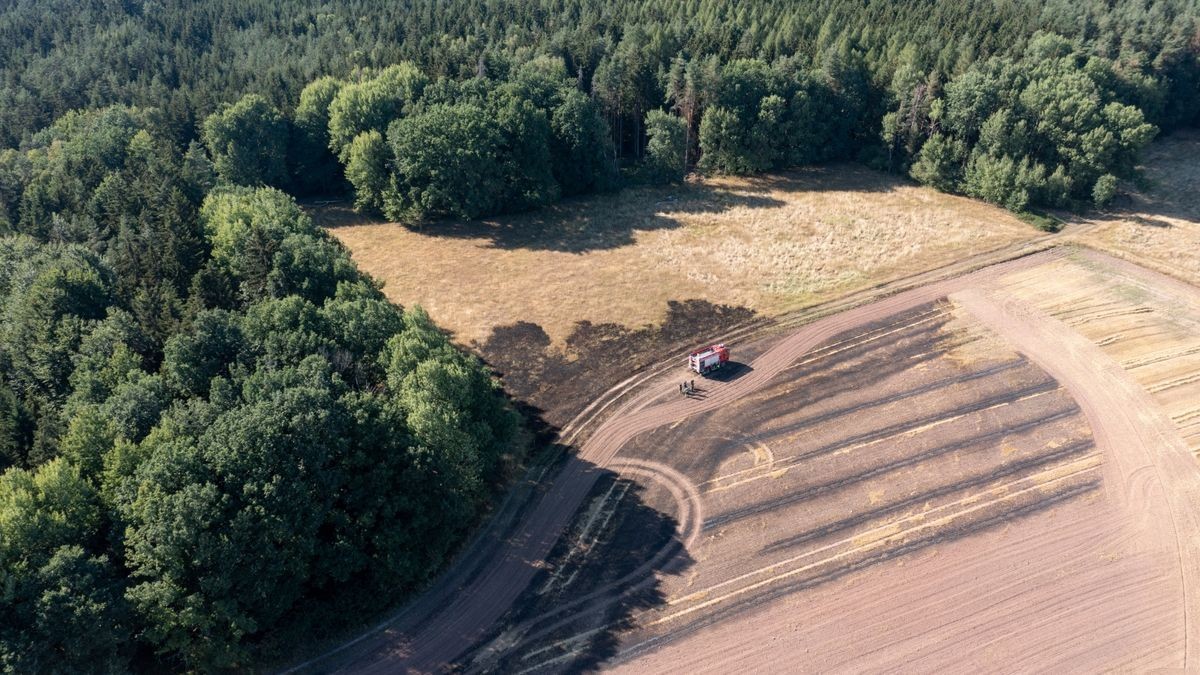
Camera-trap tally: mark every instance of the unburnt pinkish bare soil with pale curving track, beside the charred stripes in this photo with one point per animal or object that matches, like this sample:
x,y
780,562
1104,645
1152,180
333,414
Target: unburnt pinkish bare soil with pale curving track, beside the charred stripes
x,y
1083,588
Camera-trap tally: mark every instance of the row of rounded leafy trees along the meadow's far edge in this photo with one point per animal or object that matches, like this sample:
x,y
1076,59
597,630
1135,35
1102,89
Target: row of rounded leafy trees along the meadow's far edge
x,y
1053,128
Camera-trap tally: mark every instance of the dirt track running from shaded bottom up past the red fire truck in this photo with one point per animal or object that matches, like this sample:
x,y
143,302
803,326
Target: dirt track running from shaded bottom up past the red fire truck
x,y
465,618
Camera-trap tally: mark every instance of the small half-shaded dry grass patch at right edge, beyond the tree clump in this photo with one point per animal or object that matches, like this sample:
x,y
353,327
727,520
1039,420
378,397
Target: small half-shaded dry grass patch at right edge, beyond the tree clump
x,y
1159,228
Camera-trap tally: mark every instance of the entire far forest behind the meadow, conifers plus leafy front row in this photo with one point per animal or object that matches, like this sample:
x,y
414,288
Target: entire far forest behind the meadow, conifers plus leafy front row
x,y
514,99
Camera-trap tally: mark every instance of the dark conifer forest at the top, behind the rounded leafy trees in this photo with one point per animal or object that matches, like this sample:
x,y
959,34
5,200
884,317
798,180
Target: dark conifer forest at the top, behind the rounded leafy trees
x,y
189,58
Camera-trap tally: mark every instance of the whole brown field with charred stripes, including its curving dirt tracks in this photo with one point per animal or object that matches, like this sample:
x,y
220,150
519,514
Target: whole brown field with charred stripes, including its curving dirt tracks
x,y
947,479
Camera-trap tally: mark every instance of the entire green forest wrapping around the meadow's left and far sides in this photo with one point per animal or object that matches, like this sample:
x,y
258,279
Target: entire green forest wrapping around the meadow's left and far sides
x,y
219,439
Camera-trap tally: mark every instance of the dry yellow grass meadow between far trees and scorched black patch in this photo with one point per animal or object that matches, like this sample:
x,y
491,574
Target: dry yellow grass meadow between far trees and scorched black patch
x,y
769,244
